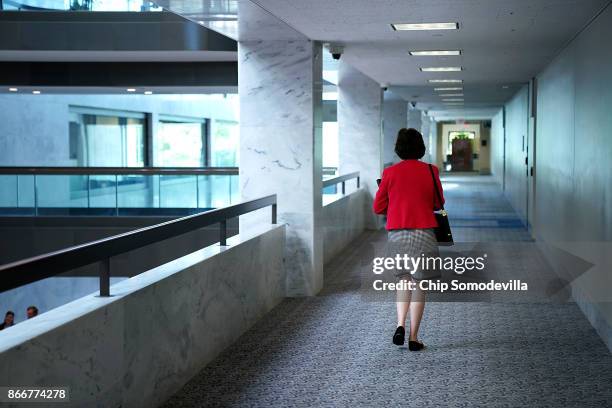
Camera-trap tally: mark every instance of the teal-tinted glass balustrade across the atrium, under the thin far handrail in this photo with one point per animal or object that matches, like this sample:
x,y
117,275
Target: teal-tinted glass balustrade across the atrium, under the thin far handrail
x,y
122,194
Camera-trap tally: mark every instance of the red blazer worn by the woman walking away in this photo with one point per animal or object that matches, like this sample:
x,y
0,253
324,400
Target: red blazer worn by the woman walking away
x,y
406,194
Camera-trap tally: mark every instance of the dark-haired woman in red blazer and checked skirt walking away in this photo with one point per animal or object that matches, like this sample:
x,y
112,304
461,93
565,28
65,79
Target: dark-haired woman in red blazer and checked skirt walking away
x,y
406,195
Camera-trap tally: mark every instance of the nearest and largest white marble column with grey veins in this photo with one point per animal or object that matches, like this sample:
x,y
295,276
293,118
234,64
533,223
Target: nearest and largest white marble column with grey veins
x,y
280,88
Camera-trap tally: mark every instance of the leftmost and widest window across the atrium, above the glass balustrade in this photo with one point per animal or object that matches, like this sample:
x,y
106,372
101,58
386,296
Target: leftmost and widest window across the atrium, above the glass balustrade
x,y
105,138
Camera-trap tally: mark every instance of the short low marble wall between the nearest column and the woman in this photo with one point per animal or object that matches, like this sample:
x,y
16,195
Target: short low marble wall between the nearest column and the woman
x,y
343,222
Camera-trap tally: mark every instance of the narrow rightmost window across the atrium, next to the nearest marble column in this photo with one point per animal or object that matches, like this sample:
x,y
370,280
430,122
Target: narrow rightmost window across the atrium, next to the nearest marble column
x,y
224,144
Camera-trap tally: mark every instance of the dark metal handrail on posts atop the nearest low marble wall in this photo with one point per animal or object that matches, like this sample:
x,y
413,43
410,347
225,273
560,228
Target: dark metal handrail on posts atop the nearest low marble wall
x,y
40,267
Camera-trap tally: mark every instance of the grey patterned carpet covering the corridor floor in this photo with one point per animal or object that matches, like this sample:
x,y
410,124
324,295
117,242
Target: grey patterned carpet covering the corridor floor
x,y
335,349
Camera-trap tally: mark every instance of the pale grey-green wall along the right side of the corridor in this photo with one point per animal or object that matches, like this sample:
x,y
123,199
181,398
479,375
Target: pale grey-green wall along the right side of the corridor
x,y
573,209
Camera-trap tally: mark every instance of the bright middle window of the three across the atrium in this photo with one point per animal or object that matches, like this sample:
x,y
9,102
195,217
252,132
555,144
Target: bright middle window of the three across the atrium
x,y
180,142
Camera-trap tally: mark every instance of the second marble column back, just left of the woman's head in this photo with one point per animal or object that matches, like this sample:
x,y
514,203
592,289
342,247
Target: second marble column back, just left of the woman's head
x,y
360,140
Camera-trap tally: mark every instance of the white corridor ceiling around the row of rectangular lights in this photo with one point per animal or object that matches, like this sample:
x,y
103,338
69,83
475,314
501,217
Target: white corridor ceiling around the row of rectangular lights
x,y
504,42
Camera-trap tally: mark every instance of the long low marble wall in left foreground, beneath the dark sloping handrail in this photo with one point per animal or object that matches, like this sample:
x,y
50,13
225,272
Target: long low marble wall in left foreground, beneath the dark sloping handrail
x,y
140,346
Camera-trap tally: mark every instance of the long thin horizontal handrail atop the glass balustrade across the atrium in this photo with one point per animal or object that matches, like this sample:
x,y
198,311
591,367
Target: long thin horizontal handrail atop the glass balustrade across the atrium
x,y
120,170
